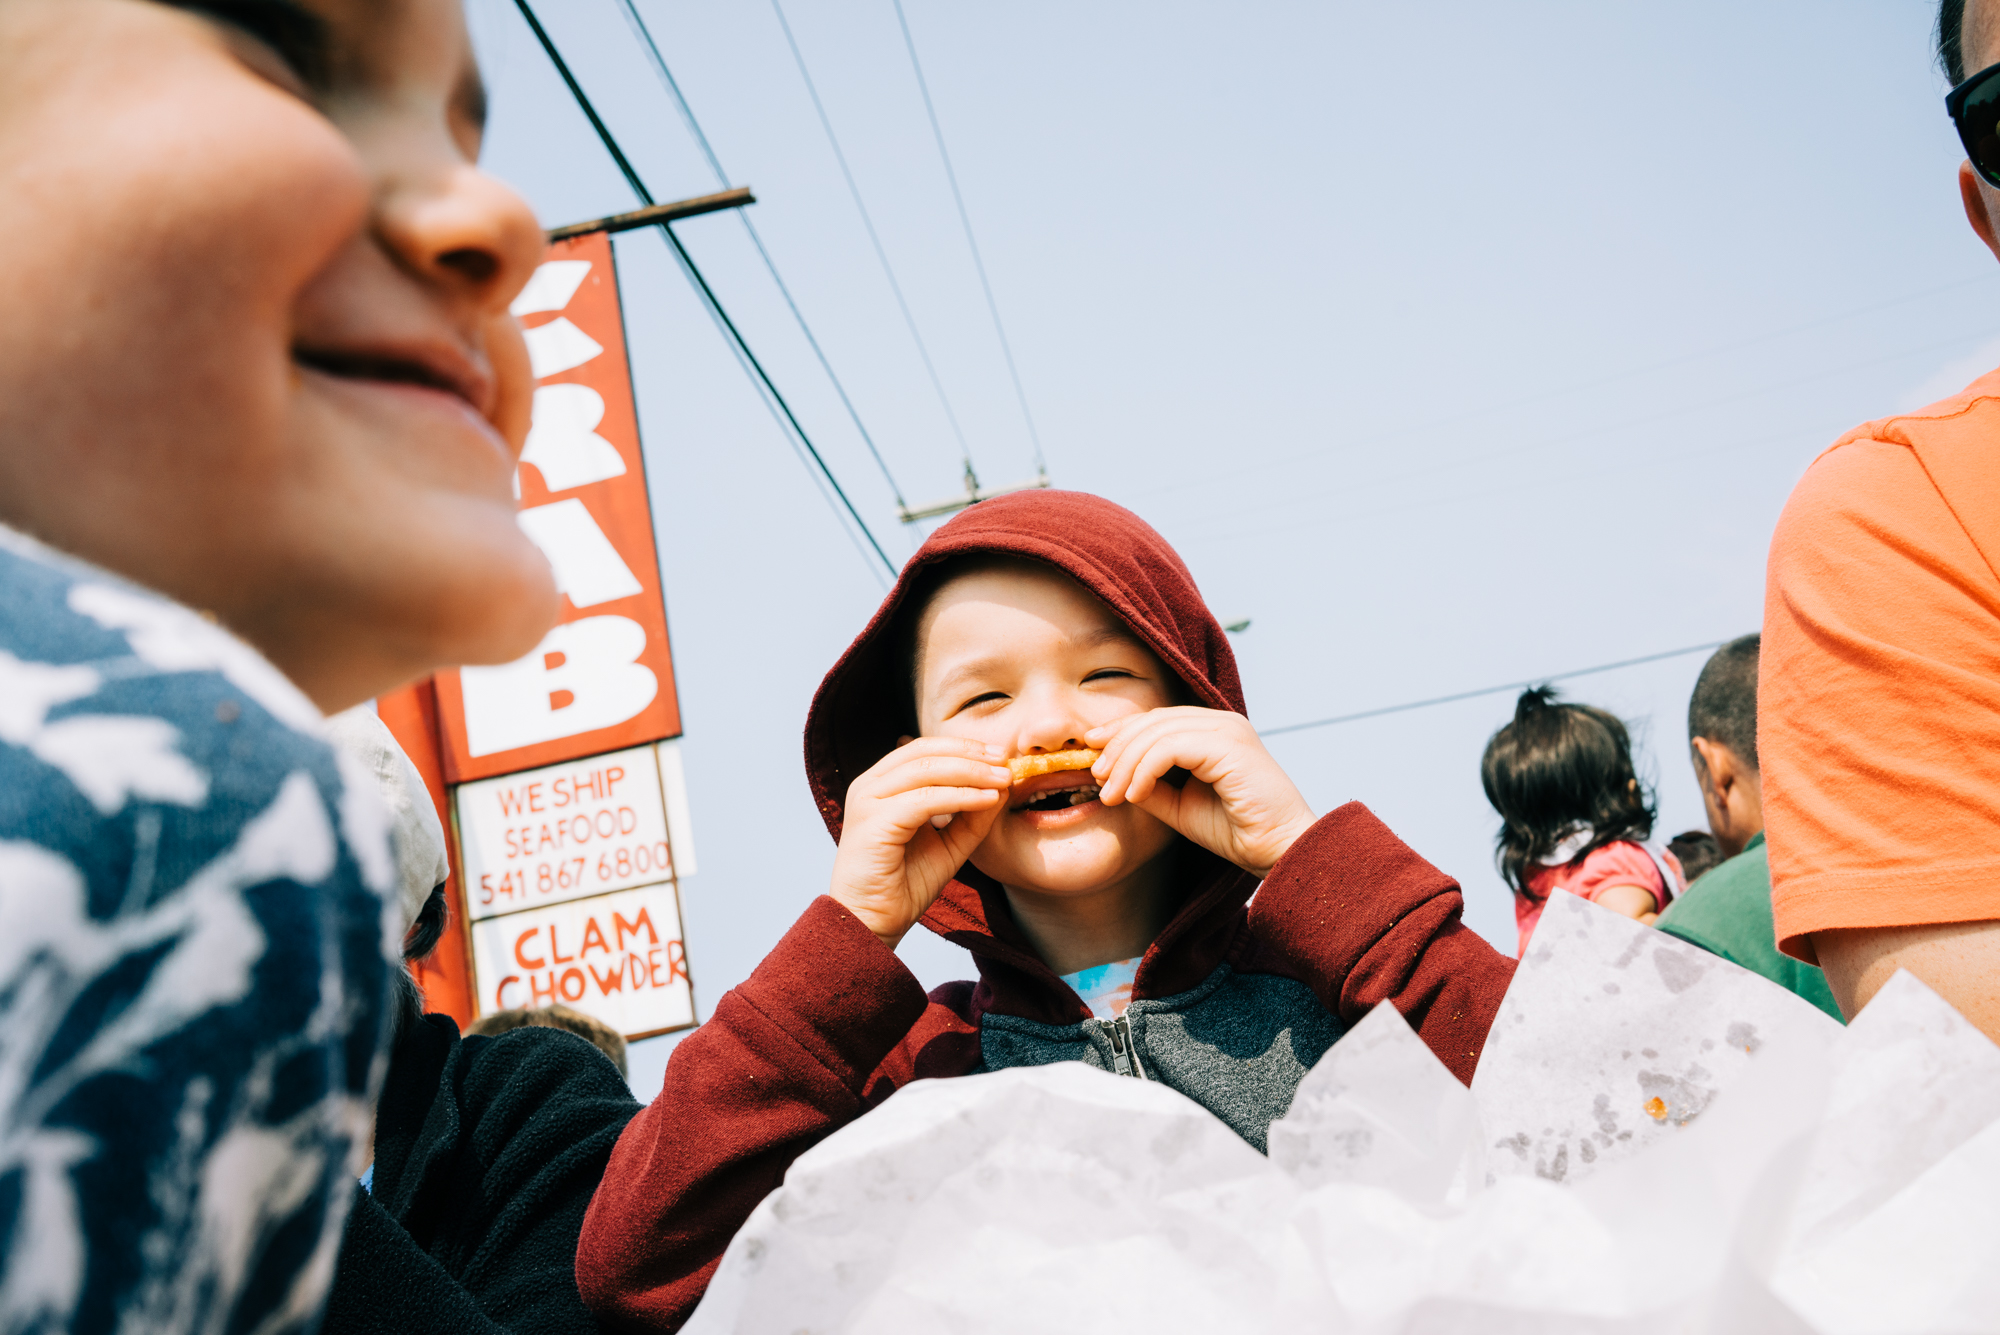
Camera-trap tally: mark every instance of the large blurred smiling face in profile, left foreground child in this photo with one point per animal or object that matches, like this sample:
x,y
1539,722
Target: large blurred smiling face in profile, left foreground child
x,y
259,349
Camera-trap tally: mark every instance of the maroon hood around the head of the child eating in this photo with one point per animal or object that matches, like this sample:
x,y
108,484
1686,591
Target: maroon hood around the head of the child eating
x,y
863,704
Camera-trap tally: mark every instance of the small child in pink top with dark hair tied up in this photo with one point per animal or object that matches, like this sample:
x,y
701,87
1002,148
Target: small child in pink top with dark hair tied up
x,y
1573,812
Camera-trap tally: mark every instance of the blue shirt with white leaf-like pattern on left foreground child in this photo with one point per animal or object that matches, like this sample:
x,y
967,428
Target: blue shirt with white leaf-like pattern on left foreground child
x,y
195,958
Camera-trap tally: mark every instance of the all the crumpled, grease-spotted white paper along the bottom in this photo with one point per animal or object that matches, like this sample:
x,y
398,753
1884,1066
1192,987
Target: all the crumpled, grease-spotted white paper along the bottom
x,y
1807,1180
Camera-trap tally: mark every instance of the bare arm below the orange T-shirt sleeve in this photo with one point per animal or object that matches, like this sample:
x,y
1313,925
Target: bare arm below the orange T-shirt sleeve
x,y
1961,962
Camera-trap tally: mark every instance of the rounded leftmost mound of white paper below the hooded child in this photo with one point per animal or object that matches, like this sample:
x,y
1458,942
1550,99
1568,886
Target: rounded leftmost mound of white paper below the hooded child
x,y
1033,1200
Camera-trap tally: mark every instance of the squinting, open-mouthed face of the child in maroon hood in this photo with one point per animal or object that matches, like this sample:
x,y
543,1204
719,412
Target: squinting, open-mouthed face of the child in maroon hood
x,y
1025,659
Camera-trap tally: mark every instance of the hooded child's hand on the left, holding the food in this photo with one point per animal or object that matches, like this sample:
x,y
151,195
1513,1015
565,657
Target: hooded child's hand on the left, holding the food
x,y
895,858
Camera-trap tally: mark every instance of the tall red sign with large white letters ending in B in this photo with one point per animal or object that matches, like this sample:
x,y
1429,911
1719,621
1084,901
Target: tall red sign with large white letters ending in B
x,y
605,676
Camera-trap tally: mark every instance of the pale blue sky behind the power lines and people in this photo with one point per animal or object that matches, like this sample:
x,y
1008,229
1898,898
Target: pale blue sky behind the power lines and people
x,y
1453,345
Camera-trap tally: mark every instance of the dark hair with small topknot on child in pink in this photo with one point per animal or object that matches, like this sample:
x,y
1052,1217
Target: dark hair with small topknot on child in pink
x,y
1555,768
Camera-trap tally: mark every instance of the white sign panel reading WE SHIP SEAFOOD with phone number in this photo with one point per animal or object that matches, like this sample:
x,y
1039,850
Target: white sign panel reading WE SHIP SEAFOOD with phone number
x,y
563,832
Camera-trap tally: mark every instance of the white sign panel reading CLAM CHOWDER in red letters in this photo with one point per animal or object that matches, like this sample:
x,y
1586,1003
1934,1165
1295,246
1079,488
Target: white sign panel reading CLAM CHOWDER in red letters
x,y
619,958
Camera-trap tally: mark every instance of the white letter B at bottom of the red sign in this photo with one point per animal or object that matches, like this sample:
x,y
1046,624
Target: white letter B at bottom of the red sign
x,y
581,678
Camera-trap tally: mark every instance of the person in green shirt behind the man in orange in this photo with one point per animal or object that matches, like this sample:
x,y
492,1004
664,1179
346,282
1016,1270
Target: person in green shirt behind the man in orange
x,y
1729,910
